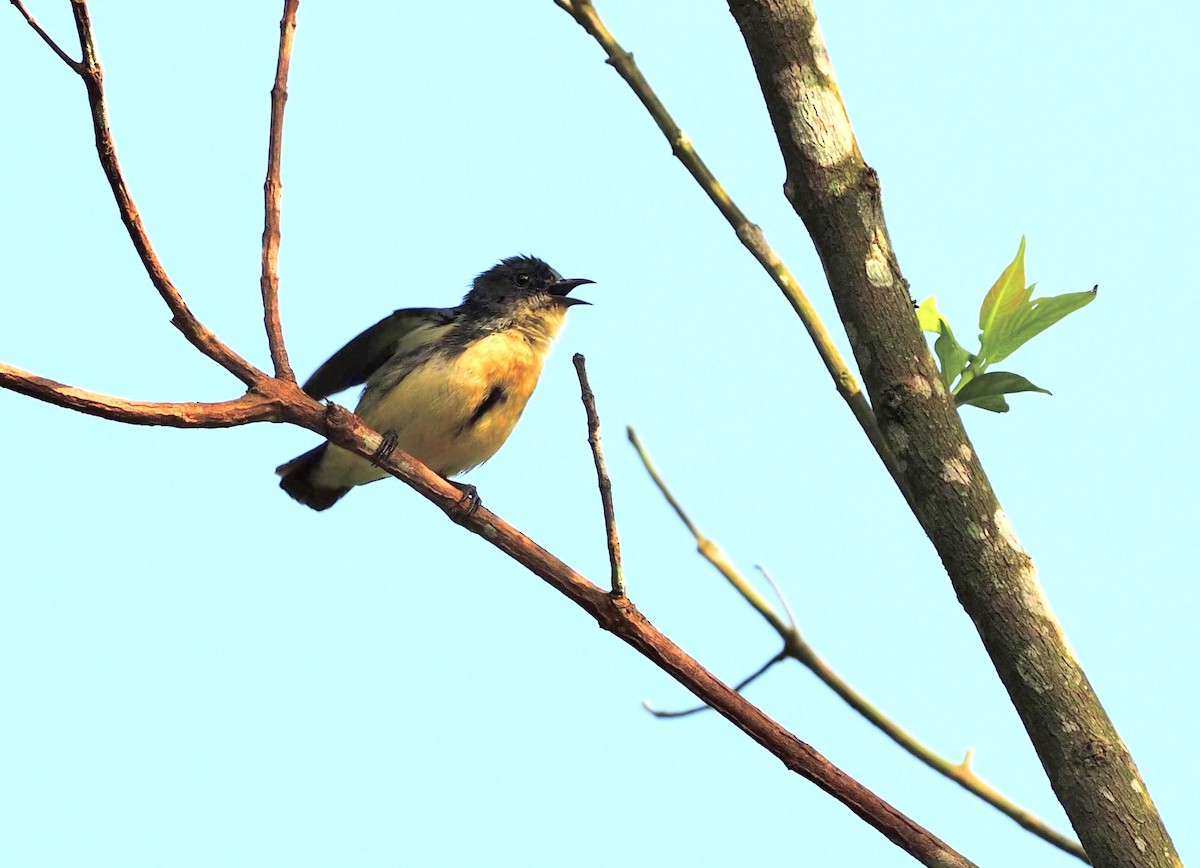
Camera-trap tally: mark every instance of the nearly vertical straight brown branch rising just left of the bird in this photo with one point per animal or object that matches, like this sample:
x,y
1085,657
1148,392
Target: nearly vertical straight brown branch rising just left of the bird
x,y
273,190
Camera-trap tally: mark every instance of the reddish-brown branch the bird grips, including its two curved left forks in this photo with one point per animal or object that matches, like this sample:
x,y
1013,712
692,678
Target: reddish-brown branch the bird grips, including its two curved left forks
x,y
614,613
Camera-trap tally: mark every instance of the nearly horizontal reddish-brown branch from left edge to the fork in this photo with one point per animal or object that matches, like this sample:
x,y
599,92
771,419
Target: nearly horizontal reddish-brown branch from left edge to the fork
x,y
248,409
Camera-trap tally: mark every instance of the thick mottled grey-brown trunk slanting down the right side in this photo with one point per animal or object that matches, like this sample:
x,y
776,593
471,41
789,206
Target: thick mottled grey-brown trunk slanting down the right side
x,y
838,197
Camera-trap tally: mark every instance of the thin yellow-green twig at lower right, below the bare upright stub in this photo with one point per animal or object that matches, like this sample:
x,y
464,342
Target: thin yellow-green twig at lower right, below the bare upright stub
x,y
796,648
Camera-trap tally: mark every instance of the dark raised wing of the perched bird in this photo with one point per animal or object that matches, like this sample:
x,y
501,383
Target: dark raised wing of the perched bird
x,y
400,333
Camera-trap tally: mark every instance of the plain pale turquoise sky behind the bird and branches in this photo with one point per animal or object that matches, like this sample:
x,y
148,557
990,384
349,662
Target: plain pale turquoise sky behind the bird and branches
x,y
197,672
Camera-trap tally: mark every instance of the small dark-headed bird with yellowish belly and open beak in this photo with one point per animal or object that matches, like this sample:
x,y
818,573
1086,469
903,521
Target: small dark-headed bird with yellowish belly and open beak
x,y
445,385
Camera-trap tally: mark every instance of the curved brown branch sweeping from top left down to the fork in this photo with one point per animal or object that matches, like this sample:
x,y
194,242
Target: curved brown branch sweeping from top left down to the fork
x,y
194,331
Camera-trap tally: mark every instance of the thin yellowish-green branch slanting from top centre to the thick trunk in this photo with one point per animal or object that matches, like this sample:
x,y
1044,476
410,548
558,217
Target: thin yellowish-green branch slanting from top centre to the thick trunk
x,y
751,235
